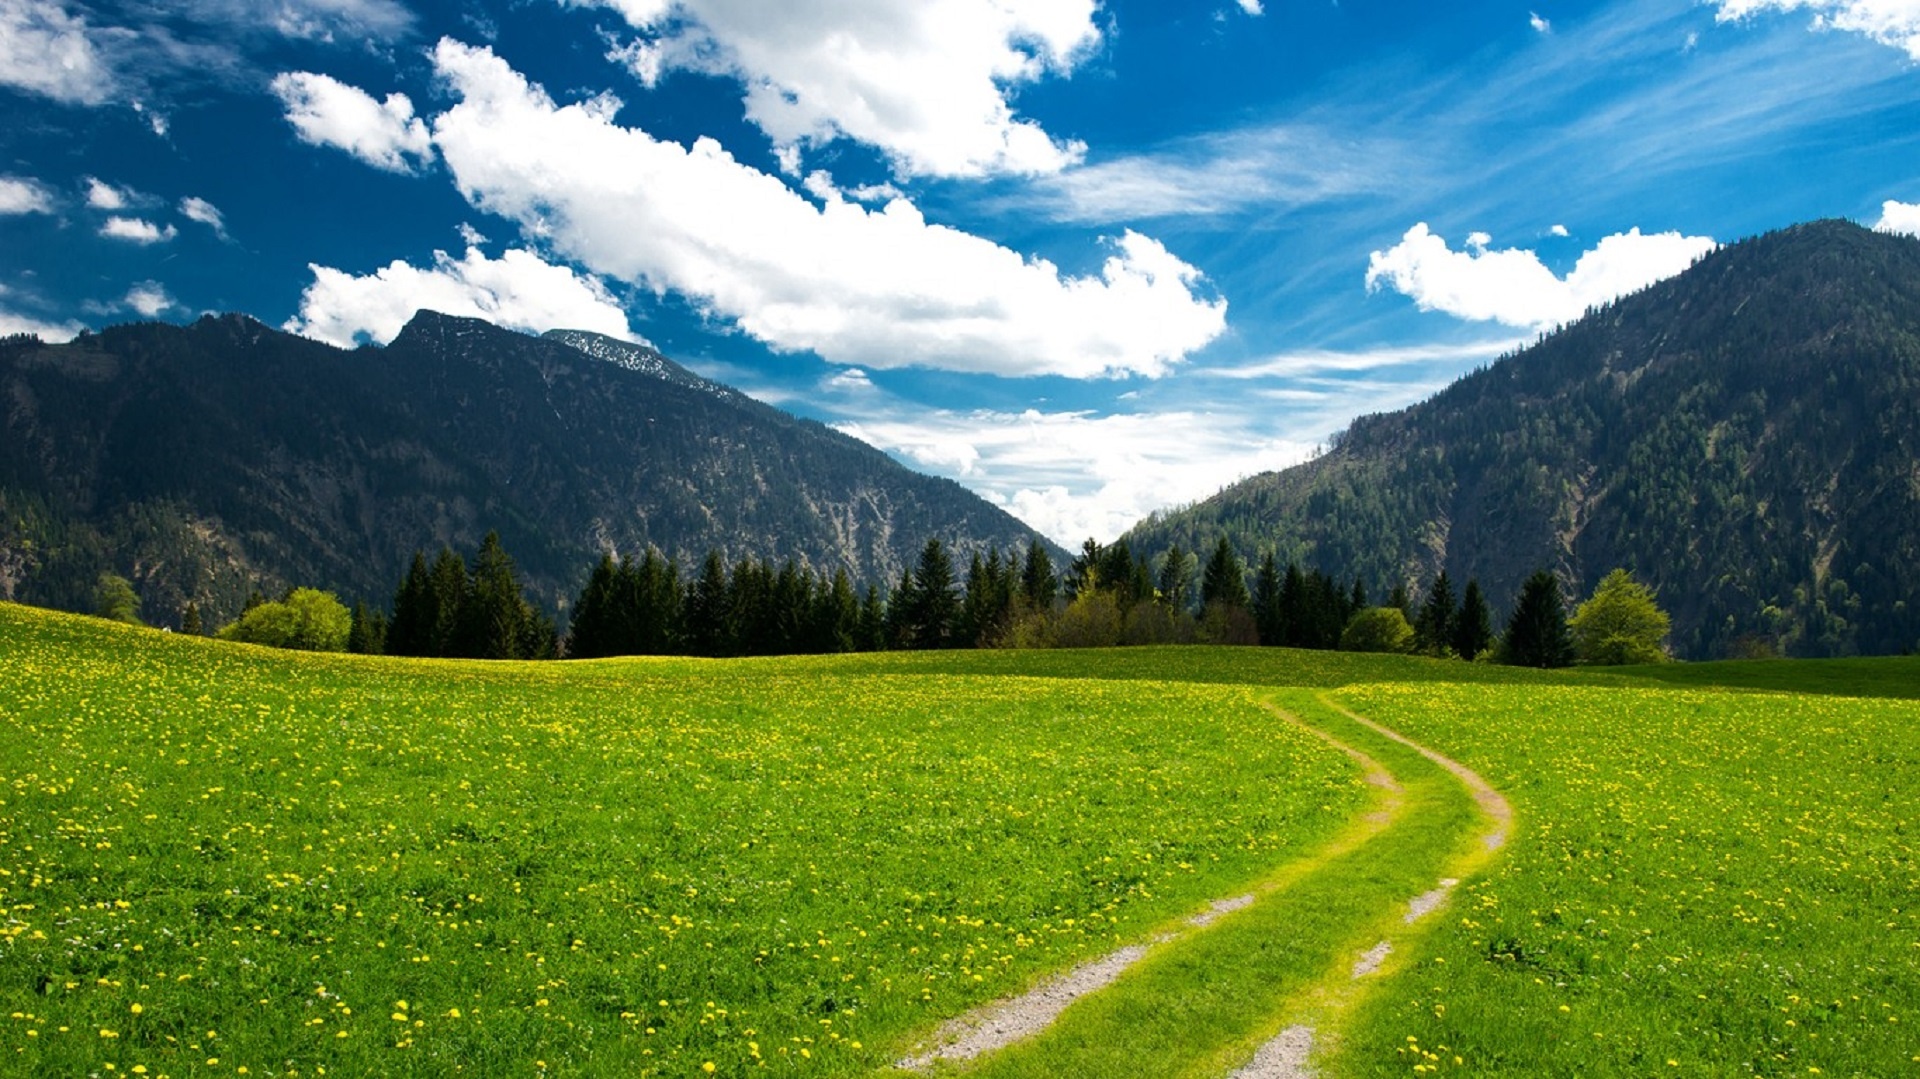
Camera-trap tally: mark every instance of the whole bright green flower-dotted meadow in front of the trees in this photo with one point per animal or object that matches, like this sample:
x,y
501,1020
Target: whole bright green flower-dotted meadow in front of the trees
x,y
231,861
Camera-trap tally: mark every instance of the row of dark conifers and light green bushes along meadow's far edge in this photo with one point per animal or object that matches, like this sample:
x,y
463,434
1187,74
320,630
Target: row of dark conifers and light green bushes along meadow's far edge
x,y
1107,596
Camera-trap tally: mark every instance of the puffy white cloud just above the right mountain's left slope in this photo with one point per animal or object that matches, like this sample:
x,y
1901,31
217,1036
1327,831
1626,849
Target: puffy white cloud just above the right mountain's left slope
x,y
1514,287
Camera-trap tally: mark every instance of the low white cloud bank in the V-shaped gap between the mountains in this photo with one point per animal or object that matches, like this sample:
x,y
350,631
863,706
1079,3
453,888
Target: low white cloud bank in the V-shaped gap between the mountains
x,y
1078,475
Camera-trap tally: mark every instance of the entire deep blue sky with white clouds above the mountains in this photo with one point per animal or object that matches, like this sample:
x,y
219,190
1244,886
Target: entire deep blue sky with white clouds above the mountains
x,y
1088,258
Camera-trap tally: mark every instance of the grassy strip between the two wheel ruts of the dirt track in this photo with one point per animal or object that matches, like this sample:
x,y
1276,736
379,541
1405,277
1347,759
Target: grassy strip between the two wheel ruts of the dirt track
x,y
1205,1001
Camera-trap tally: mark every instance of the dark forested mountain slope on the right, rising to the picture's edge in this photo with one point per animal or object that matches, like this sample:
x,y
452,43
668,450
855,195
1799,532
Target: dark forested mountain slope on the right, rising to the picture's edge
x,y
1742,437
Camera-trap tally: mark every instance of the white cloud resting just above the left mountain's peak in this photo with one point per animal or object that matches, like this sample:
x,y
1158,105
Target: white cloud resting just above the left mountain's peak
x,y
517,291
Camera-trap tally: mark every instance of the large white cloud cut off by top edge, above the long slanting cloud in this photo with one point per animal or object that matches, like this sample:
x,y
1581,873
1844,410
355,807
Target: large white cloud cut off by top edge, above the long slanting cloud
x,y
926,84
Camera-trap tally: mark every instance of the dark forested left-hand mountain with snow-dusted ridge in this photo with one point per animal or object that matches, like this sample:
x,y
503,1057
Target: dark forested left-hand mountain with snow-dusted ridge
x,y
226,456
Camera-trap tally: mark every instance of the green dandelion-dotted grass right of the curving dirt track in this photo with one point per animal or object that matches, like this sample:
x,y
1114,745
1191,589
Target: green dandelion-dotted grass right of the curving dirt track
x,y
1708,884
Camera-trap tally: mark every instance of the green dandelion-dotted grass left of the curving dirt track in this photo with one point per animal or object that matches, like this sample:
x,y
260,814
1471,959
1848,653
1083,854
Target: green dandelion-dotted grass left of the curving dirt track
x,y
289,863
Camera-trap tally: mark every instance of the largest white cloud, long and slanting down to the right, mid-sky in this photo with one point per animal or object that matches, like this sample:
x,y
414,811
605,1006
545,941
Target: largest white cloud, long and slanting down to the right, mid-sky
x,y
865,287
